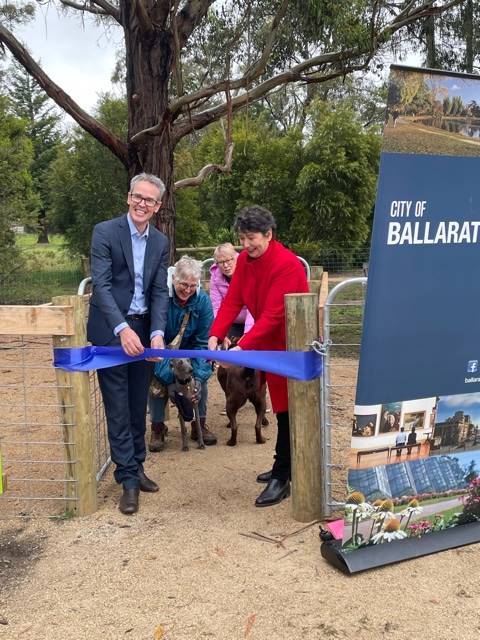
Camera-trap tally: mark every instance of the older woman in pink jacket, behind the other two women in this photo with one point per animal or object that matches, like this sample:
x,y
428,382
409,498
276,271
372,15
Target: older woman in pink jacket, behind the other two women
x,y
221,273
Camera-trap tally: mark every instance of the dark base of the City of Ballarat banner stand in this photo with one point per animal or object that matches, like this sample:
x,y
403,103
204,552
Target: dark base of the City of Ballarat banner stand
x,y
380,555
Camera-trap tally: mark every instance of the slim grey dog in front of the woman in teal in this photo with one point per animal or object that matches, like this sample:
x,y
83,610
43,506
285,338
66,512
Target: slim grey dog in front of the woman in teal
x,y
183,394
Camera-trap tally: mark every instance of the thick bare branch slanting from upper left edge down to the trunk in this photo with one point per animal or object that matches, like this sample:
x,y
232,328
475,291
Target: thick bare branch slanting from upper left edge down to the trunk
x,y
92,126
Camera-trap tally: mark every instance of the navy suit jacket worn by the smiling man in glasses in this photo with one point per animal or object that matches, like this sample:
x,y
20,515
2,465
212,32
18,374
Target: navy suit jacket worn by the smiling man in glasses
x,y
114,278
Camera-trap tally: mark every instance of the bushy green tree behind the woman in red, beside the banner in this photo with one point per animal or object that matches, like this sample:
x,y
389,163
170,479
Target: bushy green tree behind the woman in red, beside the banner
x,y
335,188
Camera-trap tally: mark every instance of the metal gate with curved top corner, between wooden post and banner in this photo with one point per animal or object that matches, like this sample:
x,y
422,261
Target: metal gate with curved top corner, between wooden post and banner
x,y
342,324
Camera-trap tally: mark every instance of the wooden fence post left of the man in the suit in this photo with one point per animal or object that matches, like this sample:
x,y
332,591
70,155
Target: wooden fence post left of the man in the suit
x,y
78,425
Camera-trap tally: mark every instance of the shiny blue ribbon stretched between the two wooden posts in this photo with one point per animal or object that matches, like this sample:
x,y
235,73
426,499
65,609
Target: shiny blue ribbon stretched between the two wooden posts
x,y
300,365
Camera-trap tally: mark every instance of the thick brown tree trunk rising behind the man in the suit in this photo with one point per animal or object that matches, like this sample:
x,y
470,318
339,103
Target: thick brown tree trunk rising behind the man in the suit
x,y
149,55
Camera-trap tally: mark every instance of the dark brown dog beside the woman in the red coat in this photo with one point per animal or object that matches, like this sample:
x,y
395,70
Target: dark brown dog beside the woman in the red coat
x,y
239,385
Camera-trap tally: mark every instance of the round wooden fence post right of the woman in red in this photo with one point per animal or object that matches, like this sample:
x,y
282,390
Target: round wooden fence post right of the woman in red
x,y
308,502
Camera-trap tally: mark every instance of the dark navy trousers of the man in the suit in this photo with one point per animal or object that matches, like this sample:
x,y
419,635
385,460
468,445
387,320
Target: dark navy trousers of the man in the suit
x,y
125,392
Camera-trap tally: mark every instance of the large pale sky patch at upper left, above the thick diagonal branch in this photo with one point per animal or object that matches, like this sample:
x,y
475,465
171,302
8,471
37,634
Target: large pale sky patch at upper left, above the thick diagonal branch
x,y
80,58
